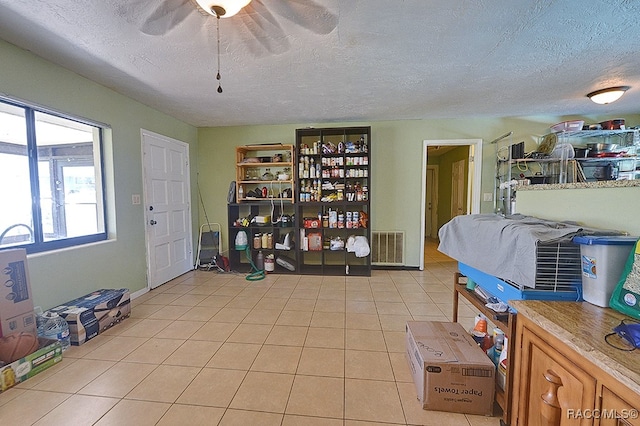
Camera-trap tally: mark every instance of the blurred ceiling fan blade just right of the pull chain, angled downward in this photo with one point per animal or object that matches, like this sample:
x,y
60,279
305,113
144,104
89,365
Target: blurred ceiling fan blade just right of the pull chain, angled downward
x,y
264,29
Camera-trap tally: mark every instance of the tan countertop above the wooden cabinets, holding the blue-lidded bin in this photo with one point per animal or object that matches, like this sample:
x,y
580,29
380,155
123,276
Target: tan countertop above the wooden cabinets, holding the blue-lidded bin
x,y
582,326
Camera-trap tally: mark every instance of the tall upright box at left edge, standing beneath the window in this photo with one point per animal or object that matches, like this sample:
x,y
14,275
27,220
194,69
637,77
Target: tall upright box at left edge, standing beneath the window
x,y
16,300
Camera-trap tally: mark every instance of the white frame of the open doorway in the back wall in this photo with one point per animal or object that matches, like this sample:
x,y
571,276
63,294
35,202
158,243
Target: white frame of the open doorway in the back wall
x,y
474,174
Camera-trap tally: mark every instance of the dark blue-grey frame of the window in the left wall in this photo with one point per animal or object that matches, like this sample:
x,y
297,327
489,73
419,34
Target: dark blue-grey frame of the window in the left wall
x,y
39,244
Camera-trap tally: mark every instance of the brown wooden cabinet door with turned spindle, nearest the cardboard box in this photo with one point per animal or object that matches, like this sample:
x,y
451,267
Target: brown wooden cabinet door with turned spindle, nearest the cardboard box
x,y
553,386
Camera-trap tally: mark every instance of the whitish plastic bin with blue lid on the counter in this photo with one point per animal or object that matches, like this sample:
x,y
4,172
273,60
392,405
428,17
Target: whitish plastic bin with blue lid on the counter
x,y
602,259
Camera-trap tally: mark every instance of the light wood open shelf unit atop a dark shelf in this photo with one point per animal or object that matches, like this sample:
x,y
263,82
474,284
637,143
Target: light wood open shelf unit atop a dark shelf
x,y
264,173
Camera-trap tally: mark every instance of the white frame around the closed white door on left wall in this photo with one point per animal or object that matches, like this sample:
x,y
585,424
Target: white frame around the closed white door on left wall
x,y
145,192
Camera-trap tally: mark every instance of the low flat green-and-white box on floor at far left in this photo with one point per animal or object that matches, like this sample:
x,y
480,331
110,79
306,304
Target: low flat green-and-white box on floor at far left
x,y
50,353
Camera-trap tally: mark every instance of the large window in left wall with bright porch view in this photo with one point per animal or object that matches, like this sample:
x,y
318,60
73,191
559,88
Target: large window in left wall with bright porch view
x,y
50,179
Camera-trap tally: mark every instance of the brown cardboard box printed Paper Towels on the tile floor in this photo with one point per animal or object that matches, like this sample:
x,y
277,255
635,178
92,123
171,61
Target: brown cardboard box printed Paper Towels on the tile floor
x,y
450,371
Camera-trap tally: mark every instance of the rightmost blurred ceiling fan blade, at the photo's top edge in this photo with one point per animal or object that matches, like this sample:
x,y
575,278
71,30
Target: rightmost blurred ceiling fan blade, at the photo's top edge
x,y
308,14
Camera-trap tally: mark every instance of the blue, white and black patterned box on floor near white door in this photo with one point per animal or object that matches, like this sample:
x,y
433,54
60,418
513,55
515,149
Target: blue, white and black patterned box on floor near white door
x,y
93,313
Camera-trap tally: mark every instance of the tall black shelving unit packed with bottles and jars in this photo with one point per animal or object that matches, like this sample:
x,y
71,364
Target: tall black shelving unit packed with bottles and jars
x,y
334,187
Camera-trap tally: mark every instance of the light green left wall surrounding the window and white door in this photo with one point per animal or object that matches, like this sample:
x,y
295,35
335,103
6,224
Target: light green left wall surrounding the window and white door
x,y
62,275
